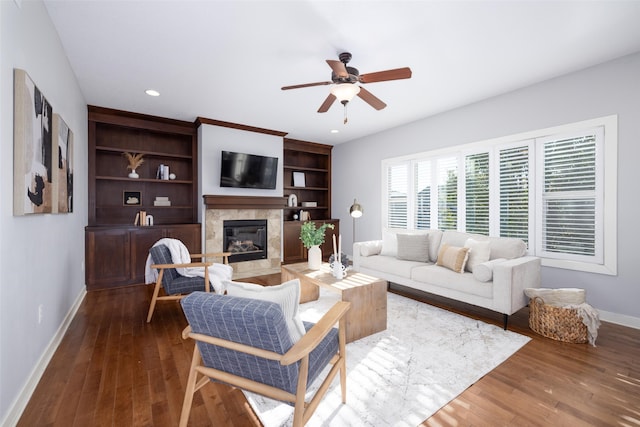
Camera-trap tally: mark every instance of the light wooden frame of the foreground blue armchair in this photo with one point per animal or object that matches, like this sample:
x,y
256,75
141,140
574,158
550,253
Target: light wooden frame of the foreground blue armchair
x,y
200,375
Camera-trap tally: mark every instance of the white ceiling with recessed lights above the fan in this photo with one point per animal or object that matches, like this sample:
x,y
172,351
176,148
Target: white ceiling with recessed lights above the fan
x,y
227,60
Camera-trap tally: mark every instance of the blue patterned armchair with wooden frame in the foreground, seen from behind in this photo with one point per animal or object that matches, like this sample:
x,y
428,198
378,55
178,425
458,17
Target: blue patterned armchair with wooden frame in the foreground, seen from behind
x,y
245,343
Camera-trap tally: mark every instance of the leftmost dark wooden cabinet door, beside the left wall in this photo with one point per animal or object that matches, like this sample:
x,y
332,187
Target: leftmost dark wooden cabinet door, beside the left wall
x,y
108,258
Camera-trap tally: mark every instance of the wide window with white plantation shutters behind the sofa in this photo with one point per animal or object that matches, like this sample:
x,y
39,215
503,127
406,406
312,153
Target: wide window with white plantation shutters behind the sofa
x,y
546,187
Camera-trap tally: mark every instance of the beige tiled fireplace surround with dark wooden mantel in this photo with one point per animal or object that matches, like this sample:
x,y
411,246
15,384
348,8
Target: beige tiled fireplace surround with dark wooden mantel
x,y
221,208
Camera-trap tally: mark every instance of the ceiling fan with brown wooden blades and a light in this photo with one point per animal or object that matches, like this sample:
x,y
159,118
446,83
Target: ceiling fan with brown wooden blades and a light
x,y
346,78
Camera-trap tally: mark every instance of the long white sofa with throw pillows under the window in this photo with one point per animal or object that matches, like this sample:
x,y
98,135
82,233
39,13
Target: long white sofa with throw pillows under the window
x,y
496,273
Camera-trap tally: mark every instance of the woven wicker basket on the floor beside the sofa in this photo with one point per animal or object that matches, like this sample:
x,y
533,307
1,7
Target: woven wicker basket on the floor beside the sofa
x,y
558,323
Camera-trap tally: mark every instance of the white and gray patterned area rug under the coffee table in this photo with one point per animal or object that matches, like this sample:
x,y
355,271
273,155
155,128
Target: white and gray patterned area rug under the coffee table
x,y
401,376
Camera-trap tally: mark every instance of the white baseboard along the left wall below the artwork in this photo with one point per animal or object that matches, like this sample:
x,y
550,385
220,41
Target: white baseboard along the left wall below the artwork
x,y
21,401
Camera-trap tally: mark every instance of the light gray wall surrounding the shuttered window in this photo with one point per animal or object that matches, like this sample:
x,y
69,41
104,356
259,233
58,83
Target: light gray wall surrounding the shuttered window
x,y
610,88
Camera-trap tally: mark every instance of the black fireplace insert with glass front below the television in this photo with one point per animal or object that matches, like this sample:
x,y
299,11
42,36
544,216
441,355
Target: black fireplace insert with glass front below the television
x,y
246,239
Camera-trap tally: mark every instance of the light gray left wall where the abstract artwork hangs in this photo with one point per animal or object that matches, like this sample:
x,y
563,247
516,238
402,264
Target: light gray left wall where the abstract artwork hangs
x,y
41,256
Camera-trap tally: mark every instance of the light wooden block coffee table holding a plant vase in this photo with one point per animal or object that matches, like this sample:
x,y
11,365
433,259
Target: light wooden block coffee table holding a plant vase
x,y
367,295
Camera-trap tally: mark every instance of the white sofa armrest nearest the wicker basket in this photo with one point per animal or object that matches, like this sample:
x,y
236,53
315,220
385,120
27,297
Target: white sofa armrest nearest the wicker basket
x,y
510,278
